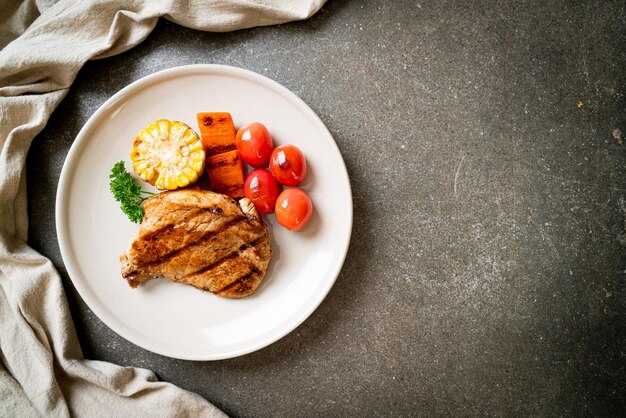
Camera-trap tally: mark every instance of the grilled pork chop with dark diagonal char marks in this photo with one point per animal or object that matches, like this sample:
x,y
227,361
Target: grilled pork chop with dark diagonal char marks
x,y
200,238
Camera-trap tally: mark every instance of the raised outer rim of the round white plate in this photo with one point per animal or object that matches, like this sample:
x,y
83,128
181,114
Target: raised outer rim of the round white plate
x,y
69,165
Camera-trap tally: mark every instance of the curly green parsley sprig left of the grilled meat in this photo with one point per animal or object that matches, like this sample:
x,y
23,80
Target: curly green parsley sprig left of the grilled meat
x,y
127,192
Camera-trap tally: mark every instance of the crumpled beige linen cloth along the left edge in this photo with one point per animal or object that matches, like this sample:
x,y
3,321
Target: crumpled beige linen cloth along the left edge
x,y
42,369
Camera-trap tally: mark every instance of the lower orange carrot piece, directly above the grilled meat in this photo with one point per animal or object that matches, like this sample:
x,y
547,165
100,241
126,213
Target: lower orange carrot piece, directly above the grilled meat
x,y
226,173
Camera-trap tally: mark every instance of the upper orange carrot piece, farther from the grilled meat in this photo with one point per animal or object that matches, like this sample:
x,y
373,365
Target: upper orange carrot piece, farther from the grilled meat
x,y
217,131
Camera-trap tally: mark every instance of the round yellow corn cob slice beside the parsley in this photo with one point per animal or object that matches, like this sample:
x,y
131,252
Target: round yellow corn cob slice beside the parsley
x,y
168,155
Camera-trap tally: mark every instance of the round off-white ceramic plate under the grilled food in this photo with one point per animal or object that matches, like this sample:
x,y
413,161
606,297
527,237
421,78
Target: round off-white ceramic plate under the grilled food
x,y
177,320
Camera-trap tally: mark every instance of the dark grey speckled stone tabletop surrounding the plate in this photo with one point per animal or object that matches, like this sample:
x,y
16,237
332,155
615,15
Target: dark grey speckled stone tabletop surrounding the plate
x,y
486,270
